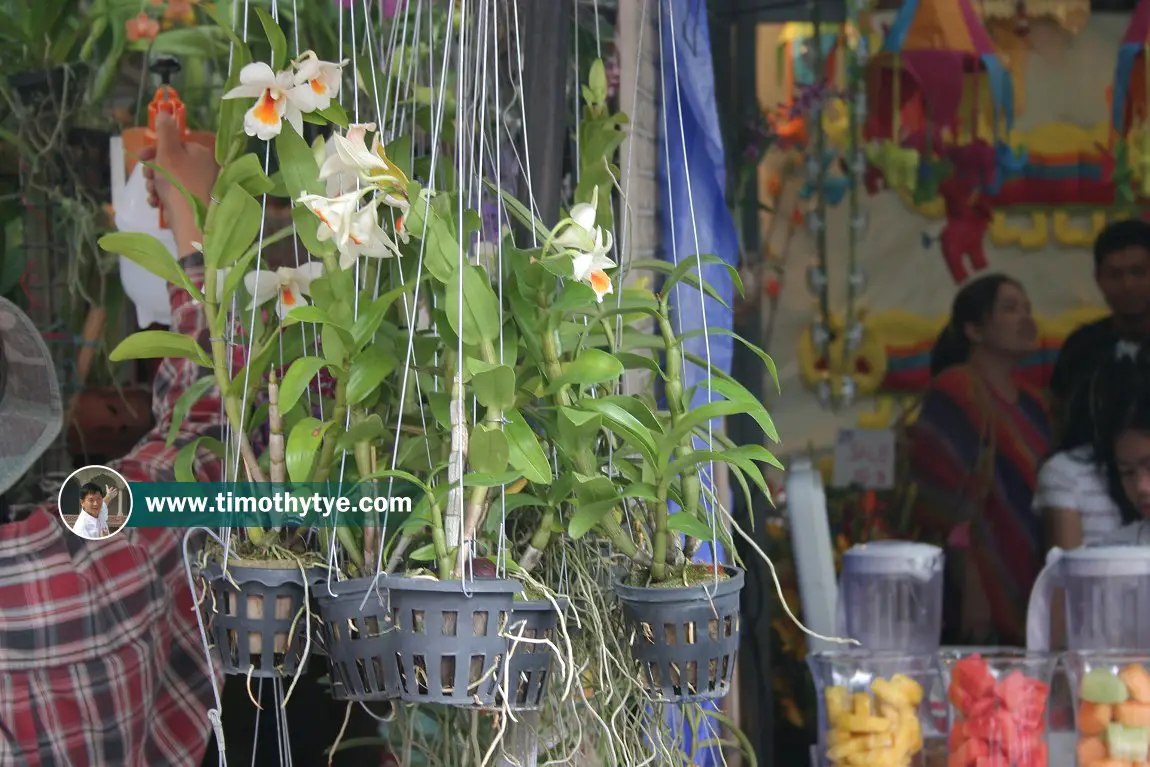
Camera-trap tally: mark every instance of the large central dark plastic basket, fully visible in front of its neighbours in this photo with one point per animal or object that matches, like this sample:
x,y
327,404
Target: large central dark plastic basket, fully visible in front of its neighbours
x,y
450,641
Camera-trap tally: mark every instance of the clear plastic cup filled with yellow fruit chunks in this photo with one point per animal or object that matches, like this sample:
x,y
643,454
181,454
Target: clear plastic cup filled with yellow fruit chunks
x,y
872,708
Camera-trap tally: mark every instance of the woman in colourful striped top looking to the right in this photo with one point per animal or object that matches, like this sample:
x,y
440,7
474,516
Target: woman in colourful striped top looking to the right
x,y
977,446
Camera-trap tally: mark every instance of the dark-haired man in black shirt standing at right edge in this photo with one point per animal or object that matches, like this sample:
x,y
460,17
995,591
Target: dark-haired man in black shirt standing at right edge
x,y
1122,269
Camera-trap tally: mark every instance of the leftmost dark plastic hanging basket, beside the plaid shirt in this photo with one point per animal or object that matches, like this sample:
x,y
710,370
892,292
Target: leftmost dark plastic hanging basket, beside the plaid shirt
x,y
257,619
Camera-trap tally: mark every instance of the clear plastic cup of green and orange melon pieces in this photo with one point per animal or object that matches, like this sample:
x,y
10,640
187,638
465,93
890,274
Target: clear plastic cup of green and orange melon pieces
x,y
1111,692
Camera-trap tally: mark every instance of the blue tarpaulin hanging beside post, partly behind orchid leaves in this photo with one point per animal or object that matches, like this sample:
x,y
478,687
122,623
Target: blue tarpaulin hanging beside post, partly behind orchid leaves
x,y
694,213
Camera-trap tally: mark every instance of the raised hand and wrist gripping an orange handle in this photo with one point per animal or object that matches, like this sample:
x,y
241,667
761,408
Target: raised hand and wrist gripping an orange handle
x,y
191,165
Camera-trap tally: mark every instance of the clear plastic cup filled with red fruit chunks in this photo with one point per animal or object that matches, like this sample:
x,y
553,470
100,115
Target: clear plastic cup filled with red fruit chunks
x,y
1000,702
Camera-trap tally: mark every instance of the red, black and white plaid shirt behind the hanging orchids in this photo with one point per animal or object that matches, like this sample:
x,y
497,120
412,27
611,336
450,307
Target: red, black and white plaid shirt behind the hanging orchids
x,y
101,655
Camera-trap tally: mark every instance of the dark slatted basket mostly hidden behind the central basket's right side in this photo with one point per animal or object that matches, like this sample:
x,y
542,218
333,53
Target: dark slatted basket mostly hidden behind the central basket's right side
x,y
530,663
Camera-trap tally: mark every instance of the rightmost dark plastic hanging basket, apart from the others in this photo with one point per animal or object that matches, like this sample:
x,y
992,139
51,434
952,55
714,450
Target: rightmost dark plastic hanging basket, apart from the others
x,y
685,639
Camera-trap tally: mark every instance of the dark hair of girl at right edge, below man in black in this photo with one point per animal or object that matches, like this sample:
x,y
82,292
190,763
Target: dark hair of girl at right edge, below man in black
x,y
1124,408
